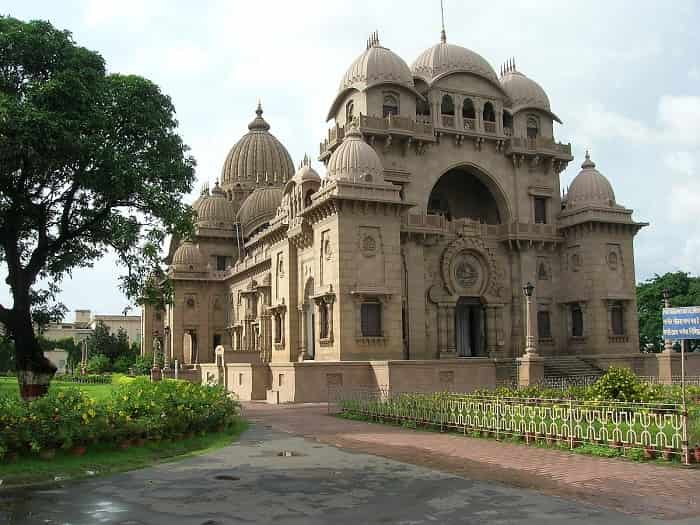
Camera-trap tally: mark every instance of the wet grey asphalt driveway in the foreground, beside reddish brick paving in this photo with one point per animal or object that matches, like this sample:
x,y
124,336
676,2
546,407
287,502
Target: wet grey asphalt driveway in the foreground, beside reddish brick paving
x,y
274,477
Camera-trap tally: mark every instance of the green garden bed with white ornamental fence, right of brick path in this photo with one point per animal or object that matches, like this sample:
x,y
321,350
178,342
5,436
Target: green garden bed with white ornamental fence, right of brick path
x,y
617,416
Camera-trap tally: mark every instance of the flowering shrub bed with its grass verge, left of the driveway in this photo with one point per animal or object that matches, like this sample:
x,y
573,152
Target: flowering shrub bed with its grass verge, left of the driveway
x,y
170,417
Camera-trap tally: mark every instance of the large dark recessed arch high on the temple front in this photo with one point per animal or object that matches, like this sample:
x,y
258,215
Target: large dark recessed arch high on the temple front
x,y
466,192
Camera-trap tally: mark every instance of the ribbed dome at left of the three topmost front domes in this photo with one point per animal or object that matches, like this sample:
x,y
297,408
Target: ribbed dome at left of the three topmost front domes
x,y
377,65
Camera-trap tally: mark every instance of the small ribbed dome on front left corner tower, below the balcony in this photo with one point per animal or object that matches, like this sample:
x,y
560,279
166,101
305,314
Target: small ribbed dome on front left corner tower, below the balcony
x,y
355,160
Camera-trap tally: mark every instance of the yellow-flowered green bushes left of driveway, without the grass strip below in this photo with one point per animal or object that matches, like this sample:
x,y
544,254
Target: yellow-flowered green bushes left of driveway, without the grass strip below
x,y
136,409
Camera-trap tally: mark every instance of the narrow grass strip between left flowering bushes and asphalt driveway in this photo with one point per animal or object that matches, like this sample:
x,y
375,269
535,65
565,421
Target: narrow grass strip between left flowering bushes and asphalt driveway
x,y
103,460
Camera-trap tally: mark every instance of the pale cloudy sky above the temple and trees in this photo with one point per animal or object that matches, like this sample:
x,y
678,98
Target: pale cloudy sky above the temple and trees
x,y
623,76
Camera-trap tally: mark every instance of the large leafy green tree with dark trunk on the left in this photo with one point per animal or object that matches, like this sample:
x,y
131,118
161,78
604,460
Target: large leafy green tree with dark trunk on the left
x,y
89,162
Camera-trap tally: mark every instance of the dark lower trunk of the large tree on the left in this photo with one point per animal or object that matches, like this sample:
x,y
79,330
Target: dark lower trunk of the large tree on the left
x,y
34,371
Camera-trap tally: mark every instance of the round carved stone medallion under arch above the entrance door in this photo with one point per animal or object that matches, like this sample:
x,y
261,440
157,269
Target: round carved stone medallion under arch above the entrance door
x,y
469,268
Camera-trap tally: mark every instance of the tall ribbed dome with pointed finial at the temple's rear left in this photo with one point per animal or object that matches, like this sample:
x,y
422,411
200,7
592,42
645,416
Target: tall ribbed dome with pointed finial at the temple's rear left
x,y
258,158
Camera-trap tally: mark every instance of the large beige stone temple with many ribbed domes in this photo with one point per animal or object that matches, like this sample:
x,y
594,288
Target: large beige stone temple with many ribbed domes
x,y
404,261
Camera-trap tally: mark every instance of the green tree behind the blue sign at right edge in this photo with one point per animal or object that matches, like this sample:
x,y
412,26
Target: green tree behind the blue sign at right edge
x,y
684,291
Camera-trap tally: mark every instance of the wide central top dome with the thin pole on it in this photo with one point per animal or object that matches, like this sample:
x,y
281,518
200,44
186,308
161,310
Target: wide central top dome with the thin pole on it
x,y
443,59
